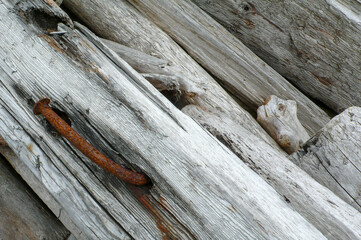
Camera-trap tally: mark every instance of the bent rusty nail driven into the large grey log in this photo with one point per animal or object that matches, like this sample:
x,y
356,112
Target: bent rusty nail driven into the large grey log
x,y
42,107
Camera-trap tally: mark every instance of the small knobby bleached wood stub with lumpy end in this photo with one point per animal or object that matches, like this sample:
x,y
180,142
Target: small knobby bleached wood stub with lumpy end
x,y
279,118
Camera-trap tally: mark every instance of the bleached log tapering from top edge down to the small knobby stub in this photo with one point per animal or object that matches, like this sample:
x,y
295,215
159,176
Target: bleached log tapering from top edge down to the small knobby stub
x,y
120,22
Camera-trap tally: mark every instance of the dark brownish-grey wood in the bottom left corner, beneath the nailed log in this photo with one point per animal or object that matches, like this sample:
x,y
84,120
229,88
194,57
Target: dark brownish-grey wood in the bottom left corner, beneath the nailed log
x,y
22,214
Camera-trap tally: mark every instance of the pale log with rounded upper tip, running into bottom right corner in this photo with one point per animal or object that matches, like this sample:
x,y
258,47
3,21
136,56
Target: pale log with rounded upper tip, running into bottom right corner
x,y
316,203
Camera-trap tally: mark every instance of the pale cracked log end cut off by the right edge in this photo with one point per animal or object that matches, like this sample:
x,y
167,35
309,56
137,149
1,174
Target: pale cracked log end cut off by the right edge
x,y
333,156
